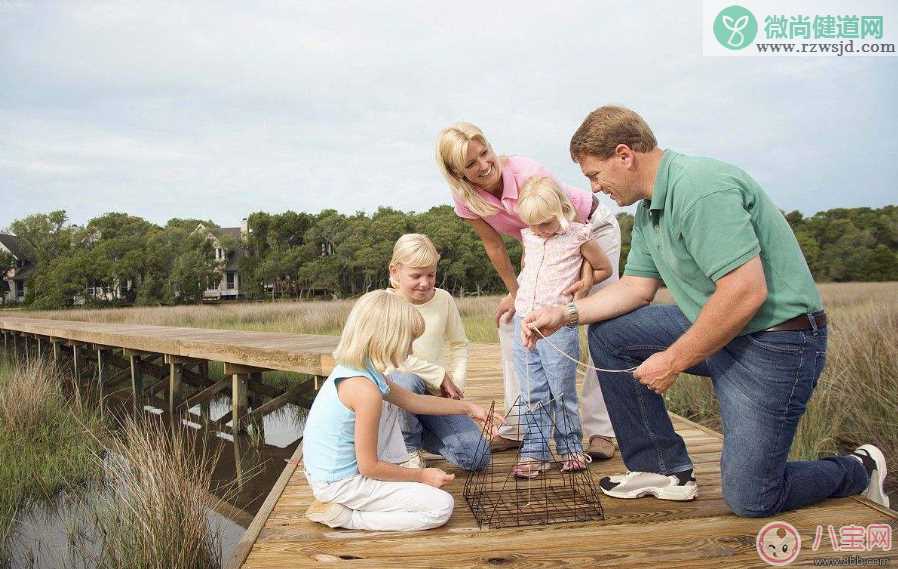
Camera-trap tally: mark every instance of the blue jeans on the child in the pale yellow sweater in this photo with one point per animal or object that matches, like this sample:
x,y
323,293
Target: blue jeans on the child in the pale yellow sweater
x,y
455,437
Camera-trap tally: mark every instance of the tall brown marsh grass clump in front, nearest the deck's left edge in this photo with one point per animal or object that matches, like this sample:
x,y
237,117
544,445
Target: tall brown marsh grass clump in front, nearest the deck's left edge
x,y
154,513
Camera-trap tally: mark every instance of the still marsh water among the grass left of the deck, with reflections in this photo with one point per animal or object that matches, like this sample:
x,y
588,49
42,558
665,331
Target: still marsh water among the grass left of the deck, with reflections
x,y
50,535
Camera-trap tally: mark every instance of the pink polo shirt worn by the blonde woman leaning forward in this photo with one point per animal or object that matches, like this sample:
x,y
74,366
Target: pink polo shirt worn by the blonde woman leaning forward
x,y
515,173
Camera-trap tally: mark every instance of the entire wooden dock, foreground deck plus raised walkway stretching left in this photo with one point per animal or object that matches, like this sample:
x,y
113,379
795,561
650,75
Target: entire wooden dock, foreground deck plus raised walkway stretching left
x,y
644,532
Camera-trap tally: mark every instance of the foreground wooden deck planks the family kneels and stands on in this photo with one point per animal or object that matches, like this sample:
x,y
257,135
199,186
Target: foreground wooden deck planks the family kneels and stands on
x,y
644,532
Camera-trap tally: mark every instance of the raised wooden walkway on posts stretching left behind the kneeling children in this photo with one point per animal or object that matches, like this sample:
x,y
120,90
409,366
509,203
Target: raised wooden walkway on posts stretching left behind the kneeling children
x,y
168,367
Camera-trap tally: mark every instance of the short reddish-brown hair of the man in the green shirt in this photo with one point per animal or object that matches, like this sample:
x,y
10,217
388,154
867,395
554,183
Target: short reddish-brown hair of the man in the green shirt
x,y
606,127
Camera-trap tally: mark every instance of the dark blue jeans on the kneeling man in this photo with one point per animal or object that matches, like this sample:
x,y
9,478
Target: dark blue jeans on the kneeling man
x,y
763,382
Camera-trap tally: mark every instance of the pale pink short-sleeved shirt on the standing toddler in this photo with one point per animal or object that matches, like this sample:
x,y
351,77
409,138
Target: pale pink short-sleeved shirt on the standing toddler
x,y
550,266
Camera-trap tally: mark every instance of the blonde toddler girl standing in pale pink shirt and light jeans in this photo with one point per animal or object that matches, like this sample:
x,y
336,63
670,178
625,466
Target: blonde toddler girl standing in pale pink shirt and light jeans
x,y
556,250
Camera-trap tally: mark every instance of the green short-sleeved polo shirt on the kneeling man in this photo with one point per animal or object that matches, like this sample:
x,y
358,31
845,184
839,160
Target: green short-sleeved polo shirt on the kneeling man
x,y
706,218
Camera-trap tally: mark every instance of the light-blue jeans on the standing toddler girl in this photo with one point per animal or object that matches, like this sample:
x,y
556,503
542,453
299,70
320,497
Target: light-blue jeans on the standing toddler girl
x,y
549,379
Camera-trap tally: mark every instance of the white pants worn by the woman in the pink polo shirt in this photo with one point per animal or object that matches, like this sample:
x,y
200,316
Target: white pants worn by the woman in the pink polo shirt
x,y
606,231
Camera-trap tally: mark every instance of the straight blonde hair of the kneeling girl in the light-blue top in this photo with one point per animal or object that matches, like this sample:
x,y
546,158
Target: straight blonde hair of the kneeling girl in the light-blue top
x,y
379,332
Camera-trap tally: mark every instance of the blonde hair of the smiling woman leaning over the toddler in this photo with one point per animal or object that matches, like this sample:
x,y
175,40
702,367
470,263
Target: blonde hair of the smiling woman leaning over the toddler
x,y
452,146
